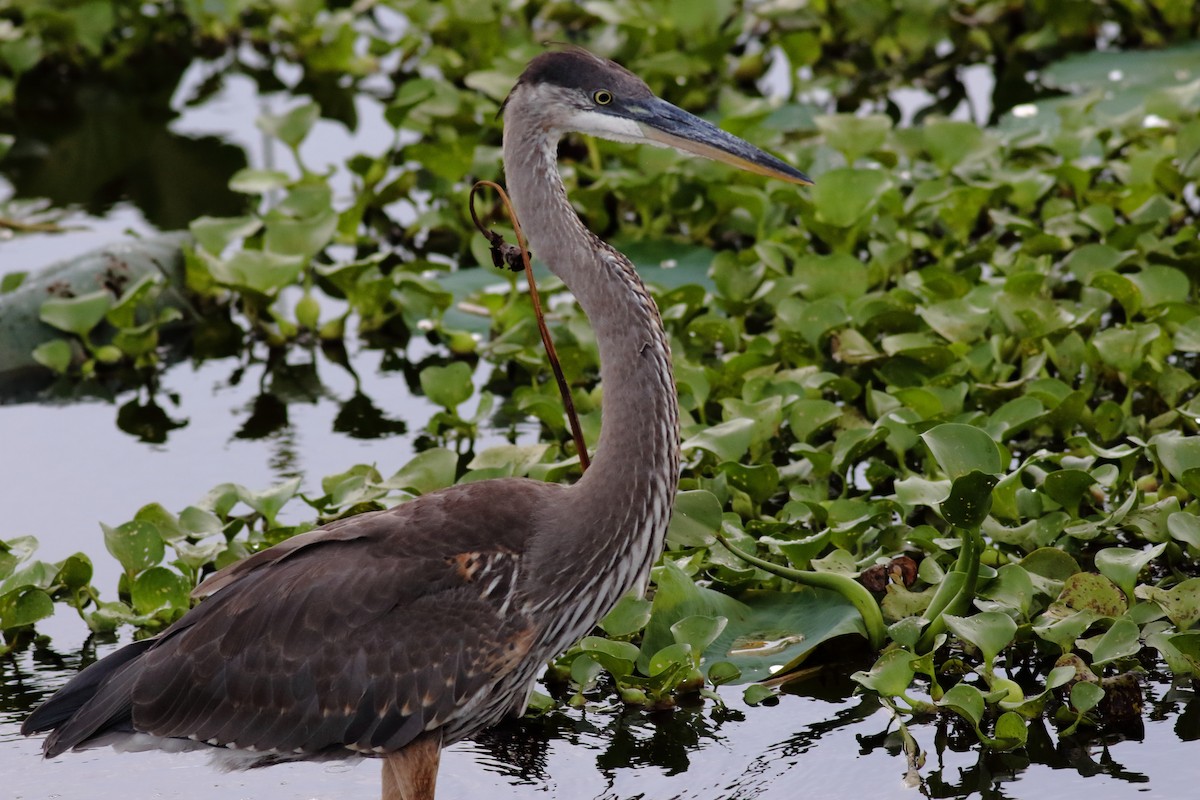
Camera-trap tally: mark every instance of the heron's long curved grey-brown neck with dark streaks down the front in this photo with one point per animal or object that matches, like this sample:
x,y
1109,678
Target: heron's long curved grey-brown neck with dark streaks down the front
x,y
629,489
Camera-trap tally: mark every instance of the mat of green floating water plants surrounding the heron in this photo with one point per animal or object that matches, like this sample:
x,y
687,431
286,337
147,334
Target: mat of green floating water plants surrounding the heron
x,y
944,404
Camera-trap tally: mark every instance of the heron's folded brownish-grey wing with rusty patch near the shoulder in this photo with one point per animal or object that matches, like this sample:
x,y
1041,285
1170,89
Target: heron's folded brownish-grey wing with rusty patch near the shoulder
x,y
361,637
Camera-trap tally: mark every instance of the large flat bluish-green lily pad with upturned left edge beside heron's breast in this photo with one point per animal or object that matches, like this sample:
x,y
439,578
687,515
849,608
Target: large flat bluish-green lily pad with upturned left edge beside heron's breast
x,y
767,633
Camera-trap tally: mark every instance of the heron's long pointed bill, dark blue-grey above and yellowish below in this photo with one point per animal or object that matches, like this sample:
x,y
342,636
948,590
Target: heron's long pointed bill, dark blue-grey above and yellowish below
x,y
674,128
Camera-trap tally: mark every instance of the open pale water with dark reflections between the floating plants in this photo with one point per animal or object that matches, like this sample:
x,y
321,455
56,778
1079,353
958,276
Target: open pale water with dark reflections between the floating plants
x,y
155,161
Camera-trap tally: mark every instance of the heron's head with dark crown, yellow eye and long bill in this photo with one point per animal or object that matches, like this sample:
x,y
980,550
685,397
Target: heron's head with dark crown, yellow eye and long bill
x,y
572,89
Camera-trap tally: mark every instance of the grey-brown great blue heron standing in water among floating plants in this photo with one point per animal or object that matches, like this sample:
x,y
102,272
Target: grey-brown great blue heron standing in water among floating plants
x,y
399,633
